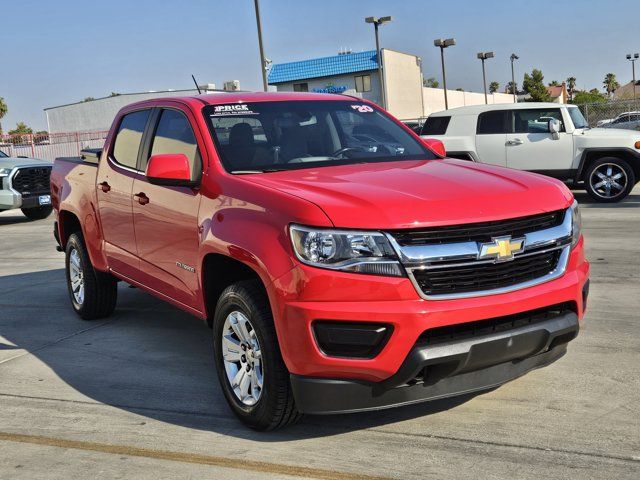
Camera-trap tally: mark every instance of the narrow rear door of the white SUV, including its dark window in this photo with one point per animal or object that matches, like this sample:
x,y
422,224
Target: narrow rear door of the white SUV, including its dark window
x,y
491,136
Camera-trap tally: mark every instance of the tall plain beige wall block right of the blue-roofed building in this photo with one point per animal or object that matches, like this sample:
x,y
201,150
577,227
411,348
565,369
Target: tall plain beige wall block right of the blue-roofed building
x,y
403,83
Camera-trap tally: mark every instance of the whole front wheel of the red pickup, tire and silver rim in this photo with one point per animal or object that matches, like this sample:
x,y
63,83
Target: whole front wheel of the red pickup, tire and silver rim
x,y
251,371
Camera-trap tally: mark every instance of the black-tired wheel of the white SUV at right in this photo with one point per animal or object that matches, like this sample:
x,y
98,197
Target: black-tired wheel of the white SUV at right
x,y
609,179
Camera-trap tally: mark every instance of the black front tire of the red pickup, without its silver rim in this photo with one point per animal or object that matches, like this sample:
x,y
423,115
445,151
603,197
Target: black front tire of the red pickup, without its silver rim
x,y
275,407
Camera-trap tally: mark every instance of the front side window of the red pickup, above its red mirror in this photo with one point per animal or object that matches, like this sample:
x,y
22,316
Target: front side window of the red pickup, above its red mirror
x,y
175,135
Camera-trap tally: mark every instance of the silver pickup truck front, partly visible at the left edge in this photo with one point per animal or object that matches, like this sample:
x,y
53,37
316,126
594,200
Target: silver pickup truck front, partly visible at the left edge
x,y
24,184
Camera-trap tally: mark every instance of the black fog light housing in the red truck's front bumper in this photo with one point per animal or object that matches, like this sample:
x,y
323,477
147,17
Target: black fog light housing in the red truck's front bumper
x,y
351,339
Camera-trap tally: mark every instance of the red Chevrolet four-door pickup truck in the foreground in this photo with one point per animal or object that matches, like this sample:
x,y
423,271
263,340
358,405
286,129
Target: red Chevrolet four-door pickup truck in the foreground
x,y
342,263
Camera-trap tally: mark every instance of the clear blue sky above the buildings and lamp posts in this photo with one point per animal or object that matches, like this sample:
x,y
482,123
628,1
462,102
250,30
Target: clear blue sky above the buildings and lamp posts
x,y
63,51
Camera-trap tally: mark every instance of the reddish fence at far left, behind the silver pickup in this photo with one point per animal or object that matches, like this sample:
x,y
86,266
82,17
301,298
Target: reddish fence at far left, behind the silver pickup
x,y
48,146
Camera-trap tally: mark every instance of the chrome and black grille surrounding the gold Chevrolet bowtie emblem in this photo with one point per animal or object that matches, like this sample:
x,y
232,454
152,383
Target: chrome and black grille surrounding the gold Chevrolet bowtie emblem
x,y
441,268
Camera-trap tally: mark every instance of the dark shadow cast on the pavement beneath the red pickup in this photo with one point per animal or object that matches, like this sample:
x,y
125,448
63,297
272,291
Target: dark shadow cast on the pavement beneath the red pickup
x,y
148,358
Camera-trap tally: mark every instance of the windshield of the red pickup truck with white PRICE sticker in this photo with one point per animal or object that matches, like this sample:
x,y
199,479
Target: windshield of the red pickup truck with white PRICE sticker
x,y
272,136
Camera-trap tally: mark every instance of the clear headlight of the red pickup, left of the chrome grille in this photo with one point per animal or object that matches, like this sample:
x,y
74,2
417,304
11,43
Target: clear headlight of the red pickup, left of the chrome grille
x,y
350,251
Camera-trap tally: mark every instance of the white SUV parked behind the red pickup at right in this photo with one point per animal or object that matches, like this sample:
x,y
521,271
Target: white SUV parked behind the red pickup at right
x,y
546,138
